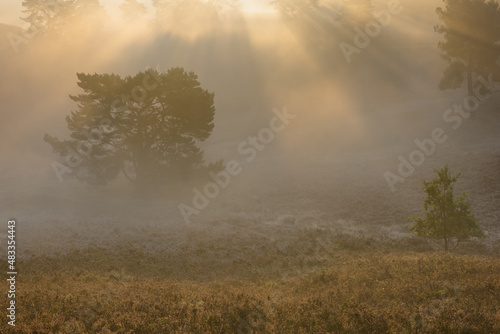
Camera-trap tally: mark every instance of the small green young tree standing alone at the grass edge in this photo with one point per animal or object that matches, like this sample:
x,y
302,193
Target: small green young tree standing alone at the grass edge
x,y
445,216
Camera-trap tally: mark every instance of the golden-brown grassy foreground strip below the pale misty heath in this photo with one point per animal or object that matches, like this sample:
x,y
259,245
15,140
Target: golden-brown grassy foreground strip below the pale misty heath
x,y
361,291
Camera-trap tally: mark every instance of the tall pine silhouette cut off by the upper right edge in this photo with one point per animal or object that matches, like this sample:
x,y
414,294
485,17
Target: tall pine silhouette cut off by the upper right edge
x,y
471,30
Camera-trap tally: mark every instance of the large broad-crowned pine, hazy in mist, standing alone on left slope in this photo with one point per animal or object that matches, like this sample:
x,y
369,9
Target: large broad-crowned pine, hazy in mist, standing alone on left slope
x,y
146,126
